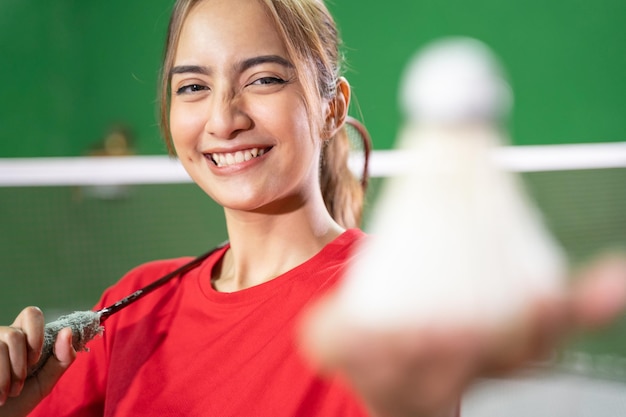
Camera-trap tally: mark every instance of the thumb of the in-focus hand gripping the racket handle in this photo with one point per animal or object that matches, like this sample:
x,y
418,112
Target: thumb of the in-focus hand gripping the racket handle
x,y
39,386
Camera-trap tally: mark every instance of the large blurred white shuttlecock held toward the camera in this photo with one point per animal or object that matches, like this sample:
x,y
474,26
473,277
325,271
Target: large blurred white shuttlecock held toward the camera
x,y
456,239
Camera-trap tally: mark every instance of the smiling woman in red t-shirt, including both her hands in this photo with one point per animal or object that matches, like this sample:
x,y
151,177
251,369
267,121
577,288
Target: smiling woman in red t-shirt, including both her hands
x,y
255,106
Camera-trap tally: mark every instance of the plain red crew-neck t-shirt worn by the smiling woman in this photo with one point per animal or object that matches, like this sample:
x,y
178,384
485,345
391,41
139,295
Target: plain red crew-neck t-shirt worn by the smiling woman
x,y
188,350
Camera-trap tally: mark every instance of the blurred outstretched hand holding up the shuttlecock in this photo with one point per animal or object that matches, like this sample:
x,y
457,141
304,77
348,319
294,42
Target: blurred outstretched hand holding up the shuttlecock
x,y
423,371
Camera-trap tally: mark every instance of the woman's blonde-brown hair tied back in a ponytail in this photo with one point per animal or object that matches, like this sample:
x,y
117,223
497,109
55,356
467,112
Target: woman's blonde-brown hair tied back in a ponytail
x,y
312,41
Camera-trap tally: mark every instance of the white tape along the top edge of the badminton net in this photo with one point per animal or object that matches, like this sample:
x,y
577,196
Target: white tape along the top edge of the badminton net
x,y
167,170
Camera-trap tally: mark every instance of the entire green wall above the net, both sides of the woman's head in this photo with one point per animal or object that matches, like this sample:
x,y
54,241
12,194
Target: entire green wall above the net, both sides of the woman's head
x,y
71,68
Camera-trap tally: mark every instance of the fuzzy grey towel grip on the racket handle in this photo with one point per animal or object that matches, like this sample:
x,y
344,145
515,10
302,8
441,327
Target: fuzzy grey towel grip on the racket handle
x,y
85,326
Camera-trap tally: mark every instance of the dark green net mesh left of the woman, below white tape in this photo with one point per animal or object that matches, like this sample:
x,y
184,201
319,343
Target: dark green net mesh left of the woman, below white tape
x,y
61,246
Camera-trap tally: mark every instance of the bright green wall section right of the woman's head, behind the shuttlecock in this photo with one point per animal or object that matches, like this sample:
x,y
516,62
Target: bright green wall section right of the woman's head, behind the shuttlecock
x,y
566,60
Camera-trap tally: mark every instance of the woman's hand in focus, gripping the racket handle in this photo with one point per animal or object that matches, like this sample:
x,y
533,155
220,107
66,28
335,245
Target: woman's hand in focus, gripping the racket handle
x,y
20,348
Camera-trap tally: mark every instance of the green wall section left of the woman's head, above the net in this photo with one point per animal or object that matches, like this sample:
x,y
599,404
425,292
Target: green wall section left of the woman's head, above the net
x,y
73,68
